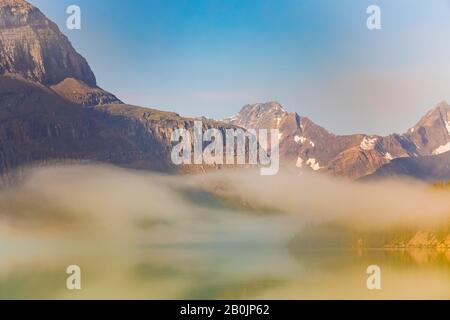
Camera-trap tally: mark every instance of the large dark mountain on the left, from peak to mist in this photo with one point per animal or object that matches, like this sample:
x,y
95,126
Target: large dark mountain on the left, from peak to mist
x,y
51,108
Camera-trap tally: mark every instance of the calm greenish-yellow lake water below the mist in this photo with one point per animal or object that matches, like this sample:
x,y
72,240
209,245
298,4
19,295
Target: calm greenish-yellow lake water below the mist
x,y
224,272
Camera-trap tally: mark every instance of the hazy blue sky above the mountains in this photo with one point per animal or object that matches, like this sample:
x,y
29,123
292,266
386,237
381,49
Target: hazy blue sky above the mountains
x,y
316,57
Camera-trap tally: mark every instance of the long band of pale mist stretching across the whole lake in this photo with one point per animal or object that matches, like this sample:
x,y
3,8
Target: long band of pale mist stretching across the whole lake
x,y
121,206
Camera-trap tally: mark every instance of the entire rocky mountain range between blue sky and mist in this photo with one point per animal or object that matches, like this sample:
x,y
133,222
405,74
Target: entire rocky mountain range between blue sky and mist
x,y
51,109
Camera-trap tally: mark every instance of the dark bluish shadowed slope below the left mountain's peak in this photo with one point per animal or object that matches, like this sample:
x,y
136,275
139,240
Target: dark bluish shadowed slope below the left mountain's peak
x,y
37,125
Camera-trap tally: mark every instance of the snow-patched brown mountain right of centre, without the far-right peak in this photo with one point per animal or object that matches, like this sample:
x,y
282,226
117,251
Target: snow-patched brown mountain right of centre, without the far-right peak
x,y
306,144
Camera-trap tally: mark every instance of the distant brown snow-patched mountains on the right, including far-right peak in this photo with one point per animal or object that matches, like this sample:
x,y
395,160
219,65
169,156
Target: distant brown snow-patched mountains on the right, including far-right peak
x,y
305,144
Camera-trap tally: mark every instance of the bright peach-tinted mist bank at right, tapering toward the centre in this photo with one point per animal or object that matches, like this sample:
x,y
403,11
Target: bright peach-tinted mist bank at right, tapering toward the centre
x,y
318,198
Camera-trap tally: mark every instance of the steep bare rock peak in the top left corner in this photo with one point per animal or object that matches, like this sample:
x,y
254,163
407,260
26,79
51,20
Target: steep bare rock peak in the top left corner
x,y
33,46
